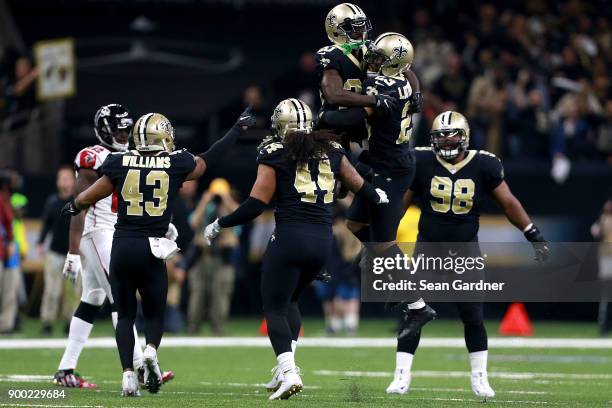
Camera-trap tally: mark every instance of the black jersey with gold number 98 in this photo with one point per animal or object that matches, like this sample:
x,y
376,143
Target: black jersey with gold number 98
x,y
451,195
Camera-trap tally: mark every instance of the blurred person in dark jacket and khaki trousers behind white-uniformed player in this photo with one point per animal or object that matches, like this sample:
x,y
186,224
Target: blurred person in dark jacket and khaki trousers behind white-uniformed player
x,y
60,297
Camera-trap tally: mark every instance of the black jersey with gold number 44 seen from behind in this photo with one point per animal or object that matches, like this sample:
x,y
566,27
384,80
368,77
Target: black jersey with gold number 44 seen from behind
x,y
304,191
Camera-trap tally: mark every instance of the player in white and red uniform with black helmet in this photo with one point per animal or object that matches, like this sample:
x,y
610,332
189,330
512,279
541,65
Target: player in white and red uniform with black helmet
x,y
91,237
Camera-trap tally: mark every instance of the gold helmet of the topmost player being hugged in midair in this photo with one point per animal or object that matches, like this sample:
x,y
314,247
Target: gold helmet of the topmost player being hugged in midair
x,y
347,23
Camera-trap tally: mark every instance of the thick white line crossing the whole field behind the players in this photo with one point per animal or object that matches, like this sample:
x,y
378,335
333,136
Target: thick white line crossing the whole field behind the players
x,y
435,342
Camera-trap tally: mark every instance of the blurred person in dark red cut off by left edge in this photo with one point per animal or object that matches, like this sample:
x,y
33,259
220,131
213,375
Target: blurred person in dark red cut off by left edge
x,y
7,246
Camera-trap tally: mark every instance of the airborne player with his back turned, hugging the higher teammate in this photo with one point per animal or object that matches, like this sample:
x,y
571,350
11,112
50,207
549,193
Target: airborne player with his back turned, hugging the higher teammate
x,y
390,157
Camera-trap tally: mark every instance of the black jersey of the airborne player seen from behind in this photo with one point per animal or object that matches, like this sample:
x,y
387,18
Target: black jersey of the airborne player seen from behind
x,y
389,134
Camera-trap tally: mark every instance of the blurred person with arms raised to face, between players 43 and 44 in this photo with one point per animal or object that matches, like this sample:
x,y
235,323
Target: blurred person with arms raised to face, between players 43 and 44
x,y
212,278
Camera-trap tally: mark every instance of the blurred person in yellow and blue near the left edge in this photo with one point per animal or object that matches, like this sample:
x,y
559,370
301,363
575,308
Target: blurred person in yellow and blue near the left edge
x,y
10,283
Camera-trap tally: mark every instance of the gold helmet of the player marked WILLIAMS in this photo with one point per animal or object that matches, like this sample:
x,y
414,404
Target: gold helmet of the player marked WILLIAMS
x,y
153,132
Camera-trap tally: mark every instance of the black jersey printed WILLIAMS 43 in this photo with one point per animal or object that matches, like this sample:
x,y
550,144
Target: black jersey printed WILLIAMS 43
x,y
145,189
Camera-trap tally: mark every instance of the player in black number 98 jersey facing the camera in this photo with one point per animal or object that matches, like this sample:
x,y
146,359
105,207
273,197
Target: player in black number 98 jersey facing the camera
x,y
451,182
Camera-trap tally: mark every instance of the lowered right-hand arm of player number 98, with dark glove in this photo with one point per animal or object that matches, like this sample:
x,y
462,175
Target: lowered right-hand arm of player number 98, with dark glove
x,y
517,215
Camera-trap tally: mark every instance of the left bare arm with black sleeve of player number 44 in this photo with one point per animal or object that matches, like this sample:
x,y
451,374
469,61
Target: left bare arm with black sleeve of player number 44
x,y
261,194
